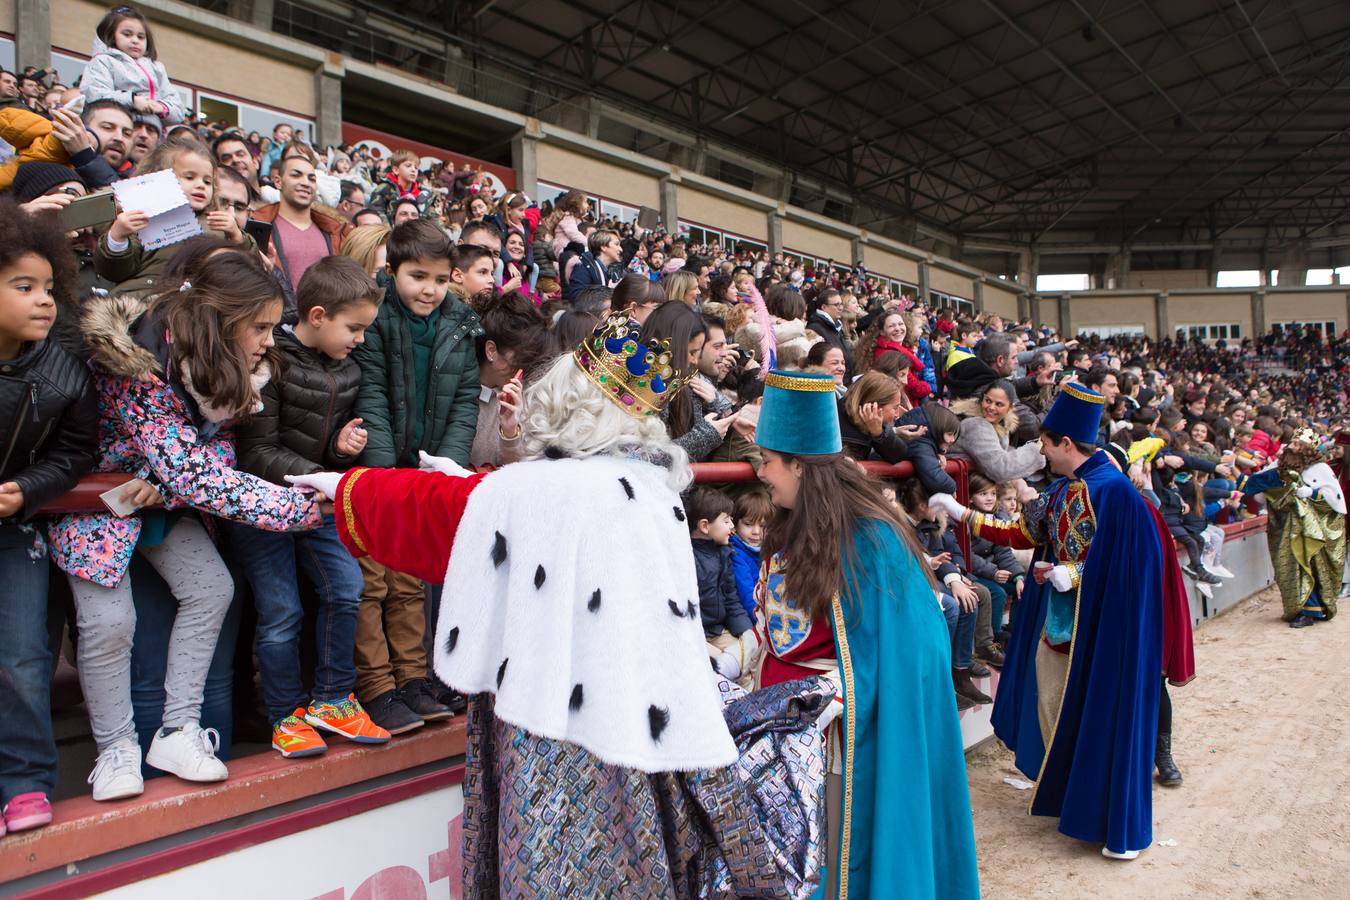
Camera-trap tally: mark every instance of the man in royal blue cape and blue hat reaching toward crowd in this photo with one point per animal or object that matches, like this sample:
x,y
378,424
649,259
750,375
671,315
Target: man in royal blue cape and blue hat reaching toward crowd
x,y
1079,698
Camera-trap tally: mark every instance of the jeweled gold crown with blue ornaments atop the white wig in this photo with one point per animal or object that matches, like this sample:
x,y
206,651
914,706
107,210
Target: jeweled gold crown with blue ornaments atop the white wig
x,y
641,378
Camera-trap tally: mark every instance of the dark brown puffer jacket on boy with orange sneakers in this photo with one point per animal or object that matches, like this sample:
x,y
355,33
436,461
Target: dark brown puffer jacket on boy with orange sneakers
x,y
303,412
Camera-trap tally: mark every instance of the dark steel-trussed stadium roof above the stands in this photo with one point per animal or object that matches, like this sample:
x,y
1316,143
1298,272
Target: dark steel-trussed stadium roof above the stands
x,y
986,119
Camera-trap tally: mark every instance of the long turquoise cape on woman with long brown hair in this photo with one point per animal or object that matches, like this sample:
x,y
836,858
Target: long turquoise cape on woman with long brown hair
x,y
912,833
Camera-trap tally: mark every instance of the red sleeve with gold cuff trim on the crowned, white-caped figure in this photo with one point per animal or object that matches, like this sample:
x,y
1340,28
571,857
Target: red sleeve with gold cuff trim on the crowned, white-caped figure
x,y
403,519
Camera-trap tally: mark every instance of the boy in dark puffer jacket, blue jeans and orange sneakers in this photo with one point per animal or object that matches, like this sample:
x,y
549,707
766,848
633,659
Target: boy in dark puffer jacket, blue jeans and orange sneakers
x,y
306,426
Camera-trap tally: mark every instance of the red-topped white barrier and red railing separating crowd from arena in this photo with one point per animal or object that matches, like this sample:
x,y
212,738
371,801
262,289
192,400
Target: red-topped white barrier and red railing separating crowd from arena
x,y
402,804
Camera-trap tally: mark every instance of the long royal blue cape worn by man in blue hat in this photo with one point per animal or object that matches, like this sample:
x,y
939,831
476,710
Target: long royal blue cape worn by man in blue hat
x,y
1098,774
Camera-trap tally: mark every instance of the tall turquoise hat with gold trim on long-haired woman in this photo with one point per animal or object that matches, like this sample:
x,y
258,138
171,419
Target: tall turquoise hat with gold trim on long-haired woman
x,y
800,415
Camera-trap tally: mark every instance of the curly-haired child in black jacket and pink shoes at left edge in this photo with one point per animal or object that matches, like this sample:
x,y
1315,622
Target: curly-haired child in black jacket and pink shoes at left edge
x,y
47,397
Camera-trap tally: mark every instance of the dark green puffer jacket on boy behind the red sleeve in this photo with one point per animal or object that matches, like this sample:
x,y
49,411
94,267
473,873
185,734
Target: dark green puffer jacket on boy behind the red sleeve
x,y
388,396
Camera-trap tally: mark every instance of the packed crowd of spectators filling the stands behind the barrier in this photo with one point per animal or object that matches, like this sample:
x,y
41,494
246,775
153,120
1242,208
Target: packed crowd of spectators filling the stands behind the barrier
x,y
341,310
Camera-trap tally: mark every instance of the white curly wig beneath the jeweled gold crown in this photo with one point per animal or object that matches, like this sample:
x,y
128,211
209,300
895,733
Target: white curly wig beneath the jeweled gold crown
x,y
564,411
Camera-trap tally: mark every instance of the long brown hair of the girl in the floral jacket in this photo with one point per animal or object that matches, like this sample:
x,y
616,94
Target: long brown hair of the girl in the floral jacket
x,y
225,293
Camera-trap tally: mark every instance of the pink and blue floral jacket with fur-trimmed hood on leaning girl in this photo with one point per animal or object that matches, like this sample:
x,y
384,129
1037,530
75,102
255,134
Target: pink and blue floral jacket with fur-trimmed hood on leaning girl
x,y
151,427
